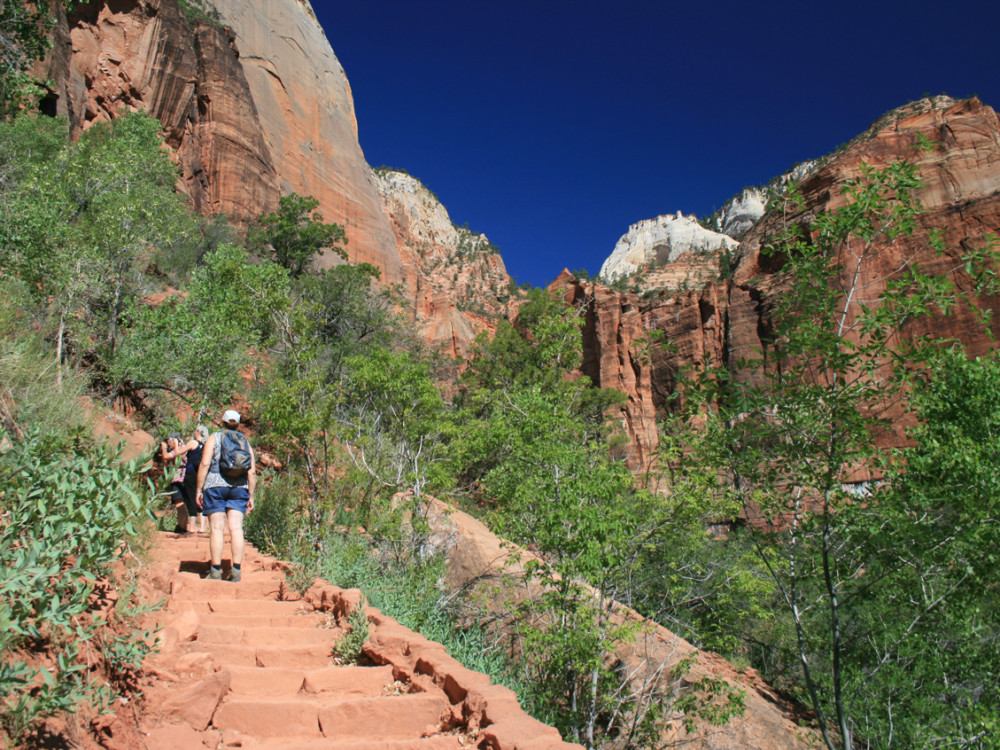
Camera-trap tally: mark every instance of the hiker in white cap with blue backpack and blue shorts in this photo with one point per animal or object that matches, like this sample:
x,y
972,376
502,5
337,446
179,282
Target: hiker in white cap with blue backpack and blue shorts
x,y
227,476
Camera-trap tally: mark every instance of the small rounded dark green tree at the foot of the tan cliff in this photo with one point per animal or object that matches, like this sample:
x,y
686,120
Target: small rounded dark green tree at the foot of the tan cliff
x,y
295,233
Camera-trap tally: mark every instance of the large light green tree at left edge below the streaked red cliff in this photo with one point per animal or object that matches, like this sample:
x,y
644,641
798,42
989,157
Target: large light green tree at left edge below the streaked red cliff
x,y
79,223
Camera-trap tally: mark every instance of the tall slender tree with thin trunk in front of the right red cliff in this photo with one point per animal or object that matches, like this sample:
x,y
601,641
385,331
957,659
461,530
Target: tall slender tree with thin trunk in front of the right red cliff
x,y
790,437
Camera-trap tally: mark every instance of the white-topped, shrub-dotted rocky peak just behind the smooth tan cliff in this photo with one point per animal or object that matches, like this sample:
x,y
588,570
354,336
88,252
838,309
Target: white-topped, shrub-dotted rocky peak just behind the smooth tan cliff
x,y
456,277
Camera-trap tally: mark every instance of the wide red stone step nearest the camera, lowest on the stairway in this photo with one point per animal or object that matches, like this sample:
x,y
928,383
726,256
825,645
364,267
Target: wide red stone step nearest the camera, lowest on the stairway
x,y
393,717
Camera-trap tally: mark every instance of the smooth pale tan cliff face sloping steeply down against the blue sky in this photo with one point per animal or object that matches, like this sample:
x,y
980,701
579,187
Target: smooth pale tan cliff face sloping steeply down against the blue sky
x,y
306,112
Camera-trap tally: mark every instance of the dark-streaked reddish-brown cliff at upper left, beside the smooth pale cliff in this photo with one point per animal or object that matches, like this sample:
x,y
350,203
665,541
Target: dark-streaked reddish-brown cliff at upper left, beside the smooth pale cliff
x,y
113,58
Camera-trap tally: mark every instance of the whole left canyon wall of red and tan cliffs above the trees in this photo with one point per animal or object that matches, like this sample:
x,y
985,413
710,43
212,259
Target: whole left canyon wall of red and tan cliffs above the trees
x,y
255,107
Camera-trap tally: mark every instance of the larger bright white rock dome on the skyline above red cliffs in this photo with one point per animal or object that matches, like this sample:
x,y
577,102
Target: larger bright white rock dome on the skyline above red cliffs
x,y
656,242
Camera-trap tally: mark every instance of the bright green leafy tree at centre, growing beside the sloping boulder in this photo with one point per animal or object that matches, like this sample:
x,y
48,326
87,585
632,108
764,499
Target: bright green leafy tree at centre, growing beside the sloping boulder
x,y
535,445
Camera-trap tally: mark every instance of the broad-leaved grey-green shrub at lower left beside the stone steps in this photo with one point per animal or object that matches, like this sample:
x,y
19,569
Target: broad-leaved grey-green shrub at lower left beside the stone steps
x,y
68,512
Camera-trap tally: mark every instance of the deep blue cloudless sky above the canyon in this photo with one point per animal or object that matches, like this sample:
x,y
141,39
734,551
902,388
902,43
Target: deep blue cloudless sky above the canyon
x,y
552,126
